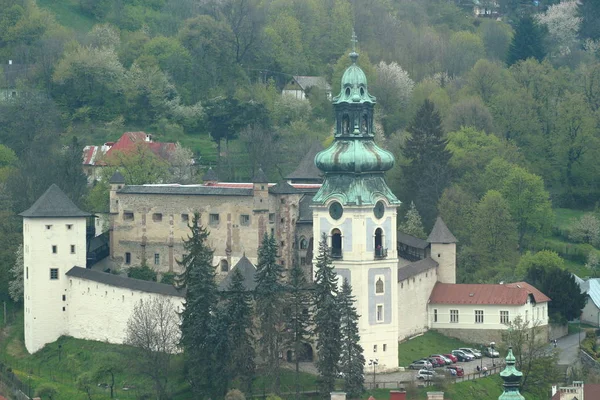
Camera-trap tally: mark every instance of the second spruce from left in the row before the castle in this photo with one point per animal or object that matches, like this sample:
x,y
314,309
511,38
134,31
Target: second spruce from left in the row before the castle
x,y
238,309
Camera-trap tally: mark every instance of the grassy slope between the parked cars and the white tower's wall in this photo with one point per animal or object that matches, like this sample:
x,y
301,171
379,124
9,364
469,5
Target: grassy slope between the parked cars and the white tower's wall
x,y
429,343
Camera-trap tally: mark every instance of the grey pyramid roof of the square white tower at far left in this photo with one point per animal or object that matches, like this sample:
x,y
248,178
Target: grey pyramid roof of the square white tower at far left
x,y
54,203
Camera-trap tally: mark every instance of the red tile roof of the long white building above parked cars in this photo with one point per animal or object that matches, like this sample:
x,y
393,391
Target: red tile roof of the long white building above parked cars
x,y
512,294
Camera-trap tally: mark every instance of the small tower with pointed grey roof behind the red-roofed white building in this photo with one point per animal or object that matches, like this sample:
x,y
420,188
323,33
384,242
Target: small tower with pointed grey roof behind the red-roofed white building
x,y
443,250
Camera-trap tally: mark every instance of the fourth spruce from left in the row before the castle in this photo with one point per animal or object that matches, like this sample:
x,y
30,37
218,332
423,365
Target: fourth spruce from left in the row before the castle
x,y
298,321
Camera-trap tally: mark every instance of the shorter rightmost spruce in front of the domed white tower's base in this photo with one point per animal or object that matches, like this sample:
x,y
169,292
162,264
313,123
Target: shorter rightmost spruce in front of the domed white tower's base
x,y
352,360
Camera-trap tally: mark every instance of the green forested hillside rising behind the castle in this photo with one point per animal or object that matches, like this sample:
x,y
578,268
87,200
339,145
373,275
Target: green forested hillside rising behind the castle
x,y
494,122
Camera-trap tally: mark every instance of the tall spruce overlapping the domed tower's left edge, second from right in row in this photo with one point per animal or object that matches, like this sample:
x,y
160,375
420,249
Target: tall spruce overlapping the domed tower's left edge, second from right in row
x,y
327,318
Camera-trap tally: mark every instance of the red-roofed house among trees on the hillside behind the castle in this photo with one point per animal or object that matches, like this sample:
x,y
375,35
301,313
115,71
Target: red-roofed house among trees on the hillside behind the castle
x,y
94,157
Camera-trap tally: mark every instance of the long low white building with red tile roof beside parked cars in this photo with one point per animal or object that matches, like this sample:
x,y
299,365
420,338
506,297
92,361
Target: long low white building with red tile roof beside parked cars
x,y
480,312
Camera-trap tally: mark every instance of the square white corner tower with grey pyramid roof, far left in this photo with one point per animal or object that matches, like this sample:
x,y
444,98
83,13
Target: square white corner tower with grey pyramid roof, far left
x,y
54,240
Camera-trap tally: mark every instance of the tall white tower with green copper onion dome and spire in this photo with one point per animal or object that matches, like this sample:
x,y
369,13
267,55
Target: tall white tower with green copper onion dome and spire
x,y
357,211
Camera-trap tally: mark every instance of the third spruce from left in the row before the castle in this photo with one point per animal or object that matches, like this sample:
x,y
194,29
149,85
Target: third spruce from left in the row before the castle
x,y
269,306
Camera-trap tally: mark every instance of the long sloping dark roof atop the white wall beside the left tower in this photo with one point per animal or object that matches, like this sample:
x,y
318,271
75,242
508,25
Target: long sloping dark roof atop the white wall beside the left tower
x,y
124,282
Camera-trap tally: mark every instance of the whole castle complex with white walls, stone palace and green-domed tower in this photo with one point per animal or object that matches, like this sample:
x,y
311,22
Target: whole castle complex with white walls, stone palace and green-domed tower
x,y
403,285
